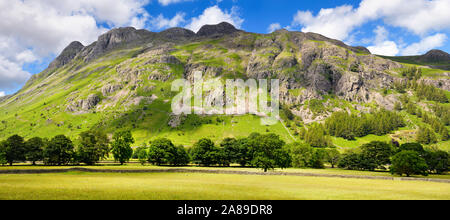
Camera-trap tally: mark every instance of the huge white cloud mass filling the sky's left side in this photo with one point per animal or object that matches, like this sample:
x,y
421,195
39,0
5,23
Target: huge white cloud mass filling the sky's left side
x,y
33,29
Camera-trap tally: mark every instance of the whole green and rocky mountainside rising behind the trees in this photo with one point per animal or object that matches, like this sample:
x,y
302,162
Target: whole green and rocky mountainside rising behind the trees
x,y
123,81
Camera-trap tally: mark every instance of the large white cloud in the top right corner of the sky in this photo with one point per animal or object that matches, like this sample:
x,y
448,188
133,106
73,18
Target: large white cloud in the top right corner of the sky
x,y
418,16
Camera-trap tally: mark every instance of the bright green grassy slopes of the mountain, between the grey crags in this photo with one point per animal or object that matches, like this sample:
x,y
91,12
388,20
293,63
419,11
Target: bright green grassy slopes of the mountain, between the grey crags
x,y
40,108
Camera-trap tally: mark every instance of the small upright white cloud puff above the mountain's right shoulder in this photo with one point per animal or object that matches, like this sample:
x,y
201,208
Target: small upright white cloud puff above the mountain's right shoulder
x,y
382,45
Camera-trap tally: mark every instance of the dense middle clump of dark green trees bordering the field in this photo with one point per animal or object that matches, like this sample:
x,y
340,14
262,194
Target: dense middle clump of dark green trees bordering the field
x,y
261,151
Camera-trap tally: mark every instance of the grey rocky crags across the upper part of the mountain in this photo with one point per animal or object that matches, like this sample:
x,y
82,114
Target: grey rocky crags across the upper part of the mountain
x,y
309,62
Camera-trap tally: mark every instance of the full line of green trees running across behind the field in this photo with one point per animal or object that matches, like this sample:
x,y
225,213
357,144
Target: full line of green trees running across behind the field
x,y
266,151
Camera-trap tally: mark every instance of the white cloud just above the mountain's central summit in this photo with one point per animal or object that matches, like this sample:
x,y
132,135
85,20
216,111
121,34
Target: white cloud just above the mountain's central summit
x,y
215,15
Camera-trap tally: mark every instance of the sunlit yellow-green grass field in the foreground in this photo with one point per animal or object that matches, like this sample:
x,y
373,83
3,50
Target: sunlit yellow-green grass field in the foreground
x,y
185,186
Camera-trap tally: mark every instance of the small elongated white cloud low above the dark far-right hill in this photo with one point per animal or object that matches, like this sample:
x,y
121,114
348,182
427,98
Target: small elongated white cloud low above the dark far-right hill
x,y
425,45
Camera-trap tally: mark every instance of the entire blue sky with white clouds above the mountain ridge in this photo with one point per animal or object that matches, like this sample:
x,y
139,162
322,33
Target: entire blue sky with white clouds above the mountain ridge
x,y
34,32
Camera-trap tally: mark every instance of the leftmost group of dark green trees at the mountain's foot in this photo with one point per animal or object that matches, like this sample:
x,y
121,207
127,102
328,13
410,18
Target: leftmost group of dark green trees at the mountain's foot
x,y
92,147
